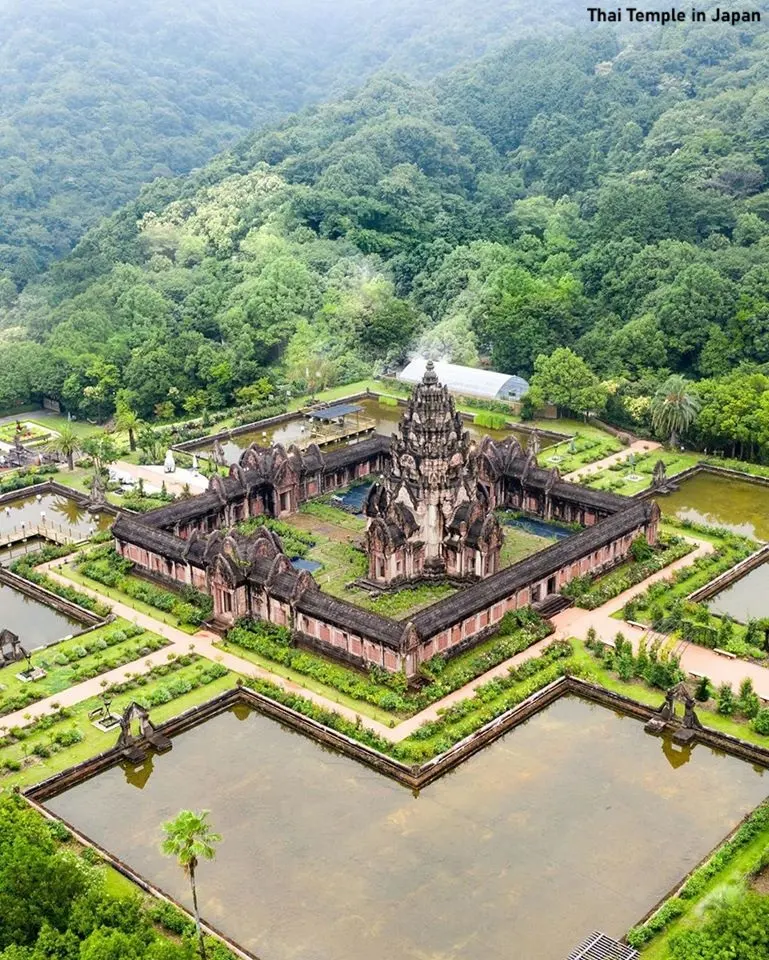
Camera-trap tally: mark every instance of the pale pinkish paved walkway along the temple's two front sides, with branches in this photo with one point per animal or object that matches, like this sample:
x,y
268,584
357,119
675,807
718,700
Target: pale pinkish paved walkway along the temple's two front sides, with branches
x,y
572,622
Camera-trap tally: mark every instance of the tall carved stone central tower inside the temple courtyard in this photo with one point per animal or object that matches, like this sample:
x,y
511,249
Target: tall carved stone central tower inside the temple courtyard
x,y
429,516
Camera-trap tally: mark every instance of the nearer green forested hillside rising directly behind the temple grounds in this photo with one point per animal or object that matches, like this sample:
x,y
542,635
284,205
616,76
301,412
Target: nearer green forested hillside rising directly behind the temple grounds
x,y
581,192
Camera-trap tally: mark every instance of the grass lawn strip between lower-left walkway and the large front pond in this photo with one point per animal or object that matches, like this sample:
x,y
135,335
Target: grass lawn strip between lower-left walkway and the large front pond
x,y
95,741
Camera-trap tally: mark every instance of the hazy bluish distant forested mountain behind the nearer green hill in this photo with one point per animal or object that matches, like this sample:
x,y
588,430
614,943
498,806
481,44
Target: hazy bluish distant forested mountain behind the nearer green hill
x,y
99,98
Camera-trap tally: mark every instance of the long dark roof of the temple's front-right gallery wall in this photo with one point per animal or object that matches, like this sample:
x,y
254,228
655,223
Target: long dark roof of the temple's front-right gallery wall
x,y
456,608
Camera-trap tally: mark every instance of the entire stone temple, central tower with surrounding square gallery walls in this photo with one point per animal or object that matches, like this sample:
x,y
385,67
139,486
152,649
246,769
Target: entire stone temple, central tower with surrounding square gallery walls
x,y
430,514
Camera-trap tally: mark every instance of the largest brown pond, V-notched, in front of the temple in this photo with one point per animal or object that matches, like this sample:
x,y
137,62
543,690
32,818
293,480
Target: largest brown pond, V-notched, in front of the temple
x,y
575,821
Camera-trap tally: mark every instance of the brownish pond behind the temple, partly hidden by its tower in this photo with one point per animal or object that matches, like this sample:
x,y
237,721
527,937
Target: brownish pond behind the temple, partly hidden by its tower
x,y
297,430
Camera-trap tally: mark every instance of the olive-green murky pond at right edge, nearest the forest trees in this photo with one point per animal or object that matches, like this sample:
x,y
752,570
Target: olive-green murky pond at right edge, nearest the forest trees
x,y
720,501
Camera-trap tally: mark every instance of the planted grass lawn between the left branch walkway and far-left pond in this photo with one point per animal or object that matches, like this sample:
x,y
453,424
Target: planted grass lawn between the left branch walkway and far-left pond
x,y
67,663
